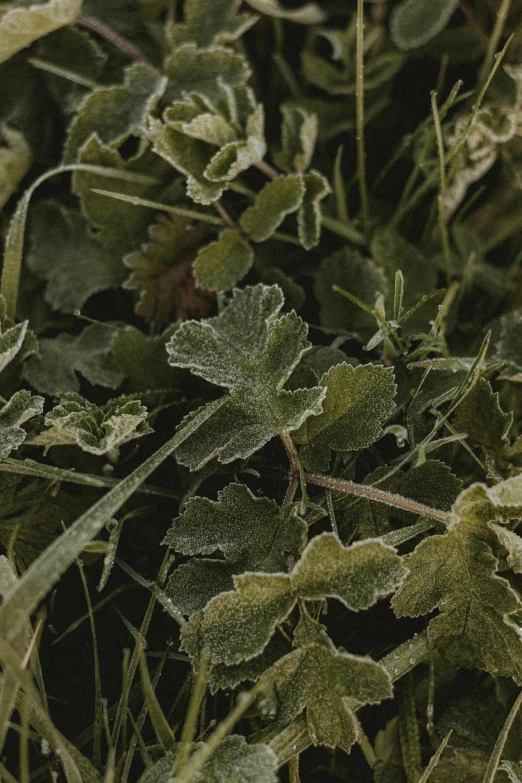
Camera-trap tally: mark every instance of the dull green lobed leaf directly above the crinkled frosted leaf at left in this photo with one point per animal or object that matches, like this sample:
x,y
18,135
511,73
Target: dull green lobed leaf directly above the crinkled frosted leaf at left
x,y
54,370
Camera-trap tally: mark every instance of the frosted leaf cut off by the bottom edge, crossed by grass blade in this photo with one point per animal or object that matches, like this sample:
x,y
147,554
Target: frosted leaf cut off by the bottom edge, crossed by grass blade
x,y
234,761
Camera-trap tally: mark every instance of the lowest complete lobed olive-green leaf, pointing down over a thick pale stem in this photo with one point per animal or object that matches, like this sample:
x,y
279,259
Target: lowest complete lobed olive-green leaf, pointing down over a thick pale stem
x,y
319,679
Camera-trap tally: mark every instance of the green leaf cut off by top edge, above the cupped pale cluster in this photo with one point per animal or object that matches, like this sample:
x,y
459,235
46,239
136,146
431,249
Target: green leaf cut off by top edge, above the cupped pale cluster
x,y
207,25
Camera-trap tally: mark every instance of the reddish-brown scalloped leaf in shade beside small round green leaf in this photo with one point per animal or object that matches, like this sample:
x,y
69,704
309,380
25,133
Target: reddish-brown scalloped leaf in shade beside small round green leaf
x,y
162,271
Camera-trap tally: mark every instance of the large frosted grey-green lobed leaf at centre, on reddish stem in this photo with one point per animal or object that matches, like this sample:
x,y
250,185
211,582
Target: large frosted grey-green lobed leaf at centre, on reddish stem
x,y
251,351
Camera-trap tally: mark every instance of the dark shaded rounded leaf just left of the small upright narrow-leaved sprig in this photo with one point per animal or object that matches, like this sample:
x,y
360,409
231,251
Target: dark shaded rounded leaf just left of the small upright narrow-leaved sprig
x,y
349,270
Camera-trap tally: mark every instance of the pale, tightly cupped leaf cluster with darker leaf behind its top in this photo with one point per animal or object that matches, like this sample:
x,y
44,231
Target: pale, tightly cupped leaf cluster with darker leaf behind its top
x,y
214,128
